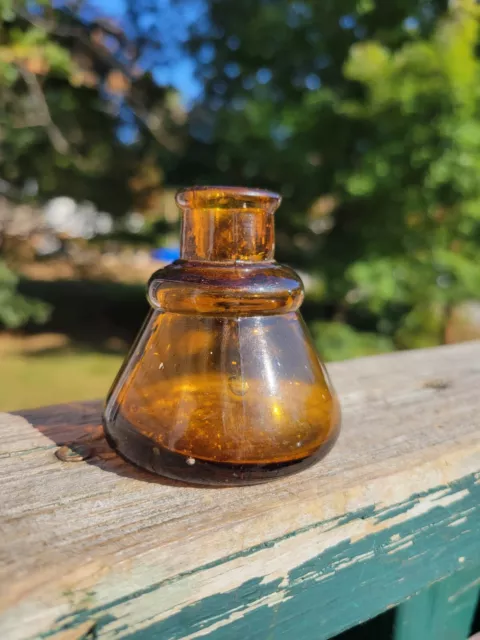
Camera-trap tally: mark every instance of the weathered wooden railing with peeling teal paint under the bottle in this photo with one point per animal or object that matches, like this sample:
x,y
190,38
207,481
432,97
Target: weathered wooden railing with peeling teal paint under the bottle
x,y
94,548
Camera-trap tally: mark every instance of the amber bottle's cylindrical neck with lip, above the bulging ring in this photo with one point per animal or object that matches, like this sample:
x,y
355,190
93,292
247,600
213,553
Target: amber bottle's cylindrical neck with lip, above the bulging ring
x,y
226,224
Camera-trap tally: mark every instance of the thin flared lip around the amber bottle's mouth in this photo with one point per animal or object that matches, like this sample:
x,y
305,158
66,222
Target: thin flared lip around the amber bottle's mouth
x,y
228,198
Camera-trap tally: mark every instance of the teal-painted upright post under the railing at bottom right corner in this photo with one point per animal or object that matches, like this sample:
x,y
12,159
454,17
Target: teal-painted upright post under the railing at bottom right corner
x,y
444,611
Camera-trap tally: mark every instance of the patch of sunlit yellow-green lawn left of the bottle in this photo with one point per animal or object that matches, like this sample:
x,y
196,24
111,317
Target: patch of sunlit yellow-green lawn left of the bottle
x,y
29,380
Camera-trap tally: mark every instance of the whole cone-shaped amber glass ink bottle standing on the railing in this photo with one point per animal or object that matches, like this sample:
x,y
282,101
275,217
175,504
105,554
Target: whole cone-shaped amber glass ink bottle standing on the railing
x,y
223,384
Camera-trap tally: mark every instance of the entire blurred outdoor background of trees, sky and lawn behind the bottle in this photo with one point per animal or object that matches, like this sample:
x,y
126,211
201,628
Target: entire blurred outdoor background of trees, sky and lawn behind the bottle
x,y
363,114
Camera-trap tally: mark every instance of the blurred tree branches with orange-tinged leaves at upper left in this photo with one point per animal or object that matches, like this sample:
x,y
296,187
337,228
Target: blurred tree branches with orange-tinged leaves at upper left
x,y
63,100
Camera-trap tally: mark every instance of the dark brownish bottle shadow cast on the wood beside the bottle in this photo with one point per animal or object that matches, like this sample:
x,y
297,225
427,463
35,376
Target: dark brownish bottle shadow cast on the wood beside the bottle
x,y
79,425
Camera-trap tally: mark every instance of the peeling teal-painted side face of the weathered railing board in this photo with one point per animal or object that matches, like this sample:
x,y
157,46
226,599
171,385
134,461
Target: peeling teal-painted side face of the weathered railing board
x,y
343,586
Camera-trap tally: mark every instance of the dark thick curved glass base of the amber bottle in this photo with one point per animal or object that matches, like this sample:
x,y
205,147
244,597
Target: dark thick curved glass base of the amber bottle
x,y
144,452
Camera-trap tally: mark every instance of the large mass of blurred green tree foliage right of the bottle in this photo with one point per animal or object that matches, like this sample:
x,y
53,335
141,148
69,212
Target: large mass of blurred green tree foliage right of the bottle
x,y
366,116
